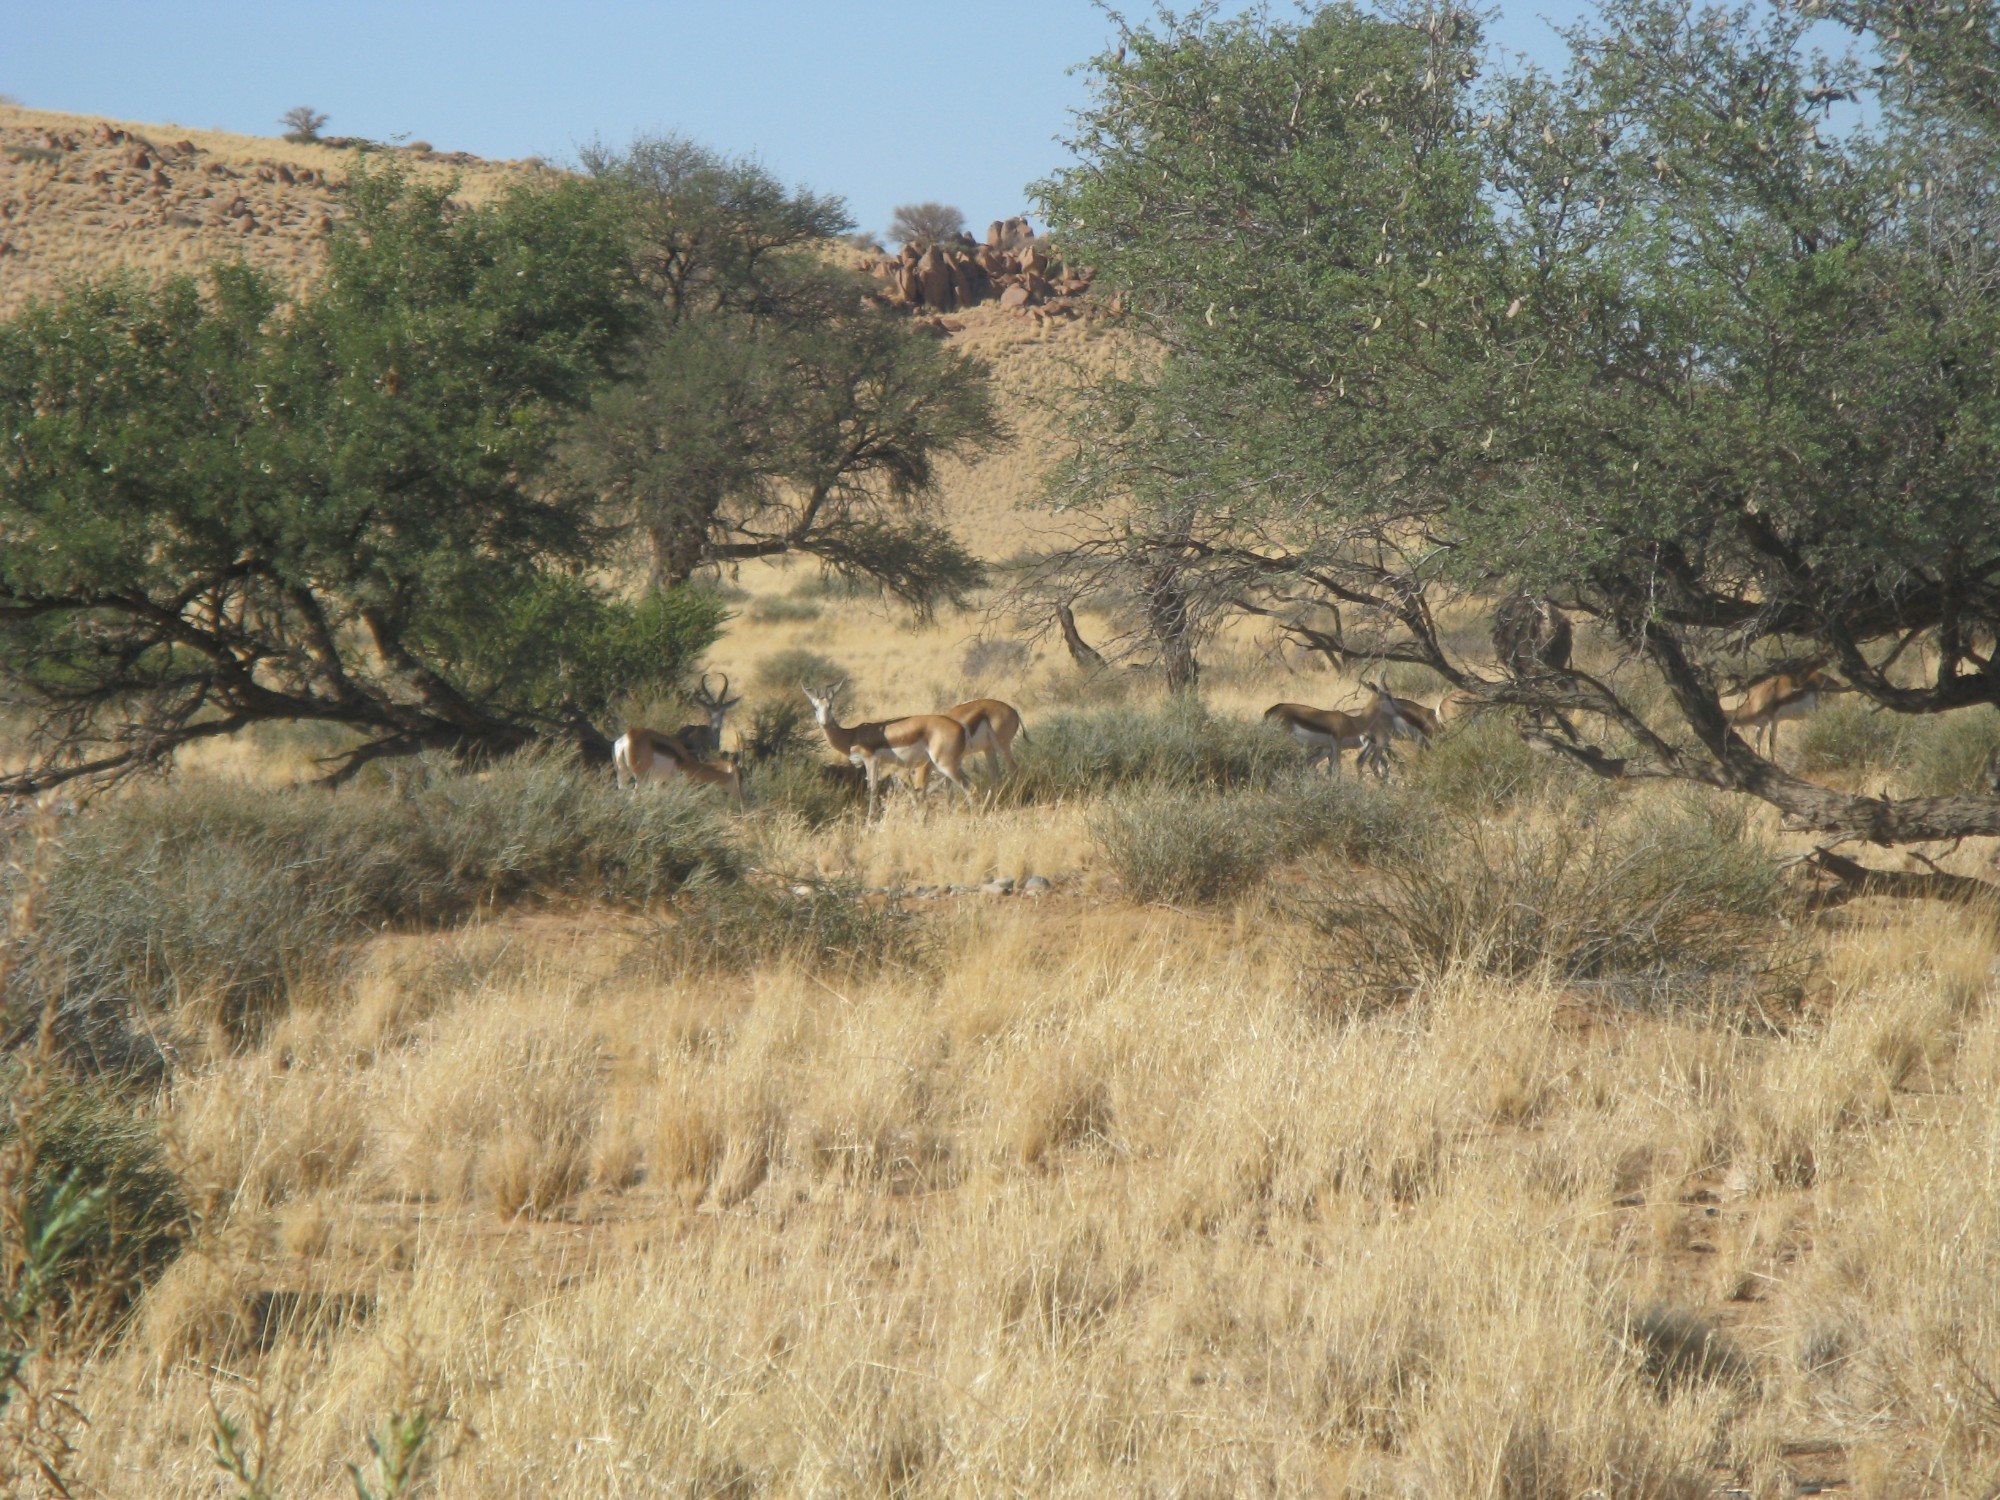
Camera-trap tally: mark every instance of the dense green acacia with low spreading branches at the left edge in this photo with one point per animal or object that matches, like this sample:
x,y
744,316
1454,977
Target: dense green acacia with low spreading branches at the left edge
x,y
219,509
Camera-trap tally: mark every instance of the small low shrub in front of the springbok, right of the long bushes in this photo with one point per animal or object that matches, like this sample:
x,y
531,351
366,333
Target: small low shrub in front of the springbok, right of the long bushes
x,y
823,925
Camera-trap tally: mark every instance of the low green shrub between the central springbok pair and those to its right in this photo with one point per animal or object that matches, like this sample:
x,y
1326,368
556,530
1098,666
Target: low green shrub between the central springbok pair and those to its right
x,y
1173,745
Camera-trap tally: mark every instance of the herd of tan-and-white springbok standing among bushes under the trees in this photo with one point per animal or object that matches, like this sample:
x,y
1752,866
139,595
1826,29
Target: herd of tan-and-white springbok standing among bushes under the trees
x,y
925,743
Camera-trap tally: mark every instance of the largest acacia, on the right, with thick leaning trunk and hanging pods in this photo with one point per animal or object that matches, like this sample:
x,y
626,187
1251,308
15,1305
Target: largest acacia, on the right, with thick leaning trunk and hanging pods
x,y
1659,341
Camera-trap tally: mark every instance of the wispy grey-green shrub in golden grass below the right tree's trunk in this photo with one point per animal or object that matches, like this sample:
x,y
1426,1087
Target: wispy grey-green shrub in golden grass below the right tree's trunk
x,y
1677,899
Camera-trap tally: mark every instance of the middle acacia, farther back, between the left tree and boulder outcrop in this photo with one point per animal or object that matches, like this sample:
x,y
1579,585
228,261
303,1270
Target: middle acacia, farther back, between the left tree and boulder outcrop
x,y
775,407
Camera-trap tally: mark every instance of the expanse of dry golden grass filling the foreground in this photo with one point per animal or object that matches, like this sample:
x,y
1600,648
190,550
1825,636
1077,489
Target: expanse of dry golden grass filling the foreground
x,y
1101,1211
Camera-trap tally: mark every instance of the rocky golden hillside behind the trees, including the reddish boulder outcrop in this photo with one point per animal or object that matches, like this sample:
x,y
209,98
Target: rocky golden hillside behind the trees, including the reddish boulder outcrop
x,y
83,197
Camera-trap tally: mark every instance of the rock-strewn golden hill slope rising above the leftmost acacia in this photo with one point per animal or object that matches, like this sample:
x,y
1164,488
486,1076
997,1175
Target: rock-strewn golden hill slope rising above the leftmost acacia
x,y
85,197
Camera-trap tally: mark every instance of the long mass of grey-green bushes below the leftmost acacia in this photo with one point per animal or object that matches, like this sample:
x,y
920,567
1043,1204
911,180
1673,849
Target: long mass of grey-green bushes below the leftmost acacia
x,y
241,897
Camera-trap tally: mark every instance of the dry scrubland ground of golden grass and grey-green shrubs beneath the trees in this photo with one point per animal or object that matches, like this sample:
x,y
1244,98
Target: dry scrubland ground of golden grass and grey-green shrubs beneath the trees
x,y
1489,1135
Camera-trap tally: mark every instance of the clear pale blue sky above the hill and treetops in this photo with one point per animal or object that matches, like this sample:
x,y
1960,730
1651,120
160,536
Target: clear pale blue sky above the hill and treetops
x,y
879,103
